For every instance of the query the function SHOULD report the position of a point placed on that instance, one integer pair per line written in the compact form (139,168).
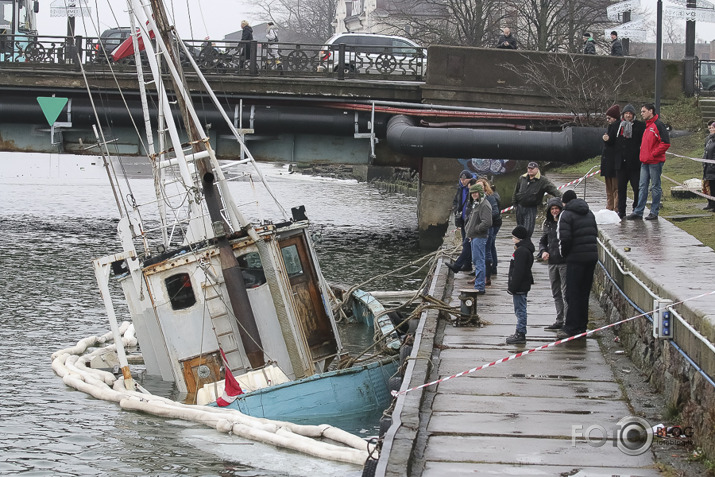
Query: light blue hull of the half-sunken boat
(355,391)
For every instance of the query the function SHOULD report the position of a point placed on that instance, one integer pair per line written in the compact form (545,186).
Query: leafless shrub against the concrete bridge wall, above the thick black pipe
(574,83)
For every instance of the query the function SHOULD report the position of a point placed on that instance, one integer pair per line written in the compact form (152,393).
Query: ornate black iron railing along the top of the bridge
(231,57)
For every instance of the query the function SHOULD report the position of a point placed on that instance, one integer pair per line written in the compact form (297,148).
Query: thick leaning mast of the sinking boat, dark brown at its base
(231,271)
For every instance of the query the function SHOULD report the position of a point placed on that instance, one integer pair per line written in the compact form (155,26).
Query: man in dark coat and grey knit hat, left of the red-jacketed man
(628,163)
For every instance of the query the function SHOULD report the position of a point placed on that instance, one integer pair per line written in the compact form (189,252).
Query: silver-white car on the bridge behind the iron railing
(374,54)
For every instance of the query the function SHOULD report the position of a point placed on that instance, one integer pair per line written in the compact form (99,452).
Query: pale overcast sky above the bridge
(216,18)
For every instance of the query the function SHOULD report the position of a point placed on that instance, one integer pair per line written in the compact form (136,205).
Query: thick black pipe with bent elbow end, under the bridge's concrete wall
(568,146)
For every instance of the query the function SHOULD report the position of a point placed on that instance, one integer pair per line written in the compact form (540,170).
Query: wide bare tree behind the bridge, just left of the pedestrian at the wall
(446,22)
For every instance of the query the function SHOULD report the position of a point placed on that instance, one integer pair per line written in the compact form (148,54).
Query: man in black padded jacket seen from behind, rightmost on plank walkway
(578,238)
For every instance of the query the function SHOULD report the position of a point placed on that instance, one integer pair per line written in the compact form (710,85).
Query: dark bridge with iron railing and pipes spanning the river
(298,104)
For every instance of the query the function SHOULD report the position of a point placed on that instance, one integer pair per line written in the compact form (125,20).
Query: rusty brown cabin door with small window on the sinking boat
(306,293)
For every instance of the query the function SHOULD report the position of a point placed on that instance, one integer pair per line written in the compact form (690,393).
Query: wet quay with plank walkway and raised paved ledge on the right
(529,416)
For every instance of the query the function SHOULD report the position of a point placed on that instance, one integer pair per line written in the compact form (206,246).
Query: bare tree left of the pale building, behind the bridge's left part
(303,21)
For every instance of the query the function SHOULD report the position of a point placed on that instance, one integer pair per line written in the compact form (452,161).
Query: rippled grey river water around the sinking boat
(50,231)
